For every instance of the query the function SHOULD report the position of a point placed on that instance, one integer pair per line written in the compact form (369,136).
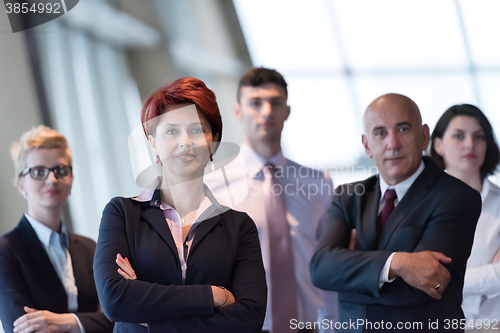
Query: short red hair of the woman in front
(185,90)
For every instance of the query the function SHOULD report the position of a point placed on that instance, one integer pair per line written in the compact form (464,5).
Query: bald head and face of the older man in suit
(394,137)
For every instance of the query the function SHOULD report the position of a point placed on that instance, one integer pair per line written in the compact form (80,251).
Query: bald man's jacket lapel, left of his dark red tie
(368,239)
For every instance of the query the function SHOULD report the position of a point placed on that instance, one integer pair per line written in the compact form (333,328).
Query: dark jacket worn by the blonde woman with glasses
(27,278)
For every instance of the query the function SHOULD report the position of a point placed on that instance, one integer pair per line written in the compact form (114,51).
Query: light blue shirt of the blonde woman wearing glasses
(57,245)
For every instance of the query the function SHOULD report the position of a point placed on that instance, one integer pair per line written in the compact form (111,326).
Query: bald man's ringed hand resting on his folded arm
(422,270)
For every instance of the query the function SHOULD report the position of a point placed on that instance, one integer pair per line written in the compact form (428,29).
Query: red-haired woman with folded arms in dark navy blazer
(197,265)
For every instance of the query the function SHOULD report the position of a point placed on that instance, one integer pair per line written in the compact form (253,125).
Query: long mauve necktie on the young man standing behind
(283,289)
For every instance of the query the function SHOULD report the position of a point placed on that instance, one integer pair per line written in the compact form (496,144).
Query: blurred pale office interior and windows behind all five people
(87,73)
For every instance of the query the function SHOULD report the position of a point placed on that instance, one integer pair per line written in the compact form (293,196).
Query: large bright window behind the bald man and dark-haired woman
(339,55)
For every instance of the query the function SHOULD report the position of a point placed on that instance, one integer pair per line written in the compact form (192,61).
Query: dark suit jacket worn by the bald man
(438,213)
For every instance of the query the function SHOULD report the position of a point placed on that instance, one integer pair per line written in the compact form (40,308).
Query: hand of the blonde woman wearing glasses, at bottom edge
(45,322)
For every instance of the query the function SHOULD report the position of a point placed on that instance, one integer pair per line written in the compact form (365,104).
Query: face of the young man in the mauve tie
(263,111)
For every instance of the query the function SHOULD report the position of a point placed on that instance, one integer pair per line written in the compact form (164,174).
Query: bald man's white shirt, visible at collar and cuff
(401,189)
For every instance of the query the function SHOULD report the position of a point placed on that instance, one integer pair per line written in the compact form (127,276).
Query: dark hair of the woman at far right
(492,156)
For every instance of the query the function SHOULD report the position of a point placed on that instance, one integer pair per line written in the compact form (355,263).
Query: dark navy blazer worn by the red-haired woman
(225,252)
